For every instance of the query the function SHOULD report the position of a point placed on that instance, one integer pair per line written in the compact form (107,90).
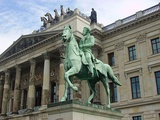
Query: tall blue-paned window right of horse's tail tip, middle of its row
(135,87)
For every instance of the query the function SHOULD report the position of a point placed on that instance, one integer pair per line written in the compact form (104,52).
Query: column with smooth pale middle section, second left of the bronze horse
(46,80)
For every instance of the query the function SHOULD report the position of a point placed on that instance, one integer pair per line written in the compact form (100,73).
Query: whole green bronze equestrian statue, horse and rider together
(81,63)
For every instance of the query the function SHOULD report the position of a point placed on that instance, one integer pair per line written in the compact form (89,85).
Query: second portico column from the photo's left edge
(5,92)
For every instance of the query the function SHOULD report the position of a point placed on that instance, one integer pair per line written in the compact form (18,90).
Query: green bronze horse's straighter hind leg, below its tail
(106,86)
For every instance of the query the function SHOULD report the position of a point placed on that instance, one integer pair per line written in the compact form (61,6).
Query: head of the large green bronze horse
(67,33)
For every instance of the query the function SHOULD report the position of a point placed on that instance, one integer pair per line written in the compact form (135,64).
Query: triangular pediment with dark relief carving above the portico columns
(26,41)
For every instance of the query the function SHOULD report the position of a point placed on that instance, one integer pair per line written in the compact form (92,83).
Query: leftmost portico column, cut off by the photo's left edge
(1,90)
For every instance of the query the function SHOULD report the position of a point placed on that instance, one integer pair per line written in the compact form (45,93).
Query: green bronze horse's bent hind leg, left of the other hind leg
(92,88)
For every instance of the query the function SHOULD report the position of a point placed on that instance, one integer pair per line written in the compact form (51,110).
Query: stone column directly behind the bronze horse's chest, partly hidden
(61,74)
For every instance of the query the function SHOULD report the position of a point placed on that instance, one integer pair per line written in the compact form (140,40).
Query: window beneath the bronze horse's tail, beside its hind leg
(113,92)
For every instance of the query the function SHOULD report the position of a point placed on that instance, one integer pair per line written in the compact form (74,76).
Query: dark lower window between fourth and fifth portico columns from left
(38,96)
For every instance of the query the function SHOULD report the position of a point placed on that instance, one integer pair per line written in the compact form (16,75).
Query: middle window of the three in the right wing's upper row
(132,53)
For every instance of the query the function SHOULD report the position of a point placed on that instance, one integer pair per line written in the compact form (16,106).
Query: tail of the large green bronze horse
(111,75)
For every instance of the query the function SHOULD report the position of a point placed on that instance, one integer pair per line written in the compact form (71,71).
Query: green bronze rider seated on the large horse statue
(85,45)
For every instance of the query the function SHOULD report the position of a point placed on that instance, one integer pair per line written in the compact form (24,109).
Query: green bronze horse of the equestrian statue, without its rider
(74,66)
